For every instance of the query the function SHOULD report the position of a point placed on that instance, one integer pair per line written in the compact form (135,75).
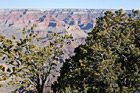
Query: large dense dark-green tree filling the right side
(109,61)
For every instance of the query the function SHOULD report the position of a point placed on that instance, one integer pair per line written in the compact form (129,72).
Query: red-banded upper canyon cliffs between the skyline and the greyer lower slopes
(84,18)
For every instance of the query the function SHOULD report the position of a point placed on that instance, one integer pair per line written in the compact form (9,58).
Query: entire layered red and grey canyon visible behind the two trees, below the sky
(77,22)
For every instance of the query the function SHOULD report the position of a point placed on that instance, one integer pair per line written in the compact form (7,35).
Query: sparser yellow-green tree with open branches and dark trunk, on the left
(30,64)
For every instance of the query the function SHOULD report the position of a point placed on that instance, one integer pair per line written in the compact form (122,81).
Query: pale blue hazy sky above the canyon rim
(88,4)
